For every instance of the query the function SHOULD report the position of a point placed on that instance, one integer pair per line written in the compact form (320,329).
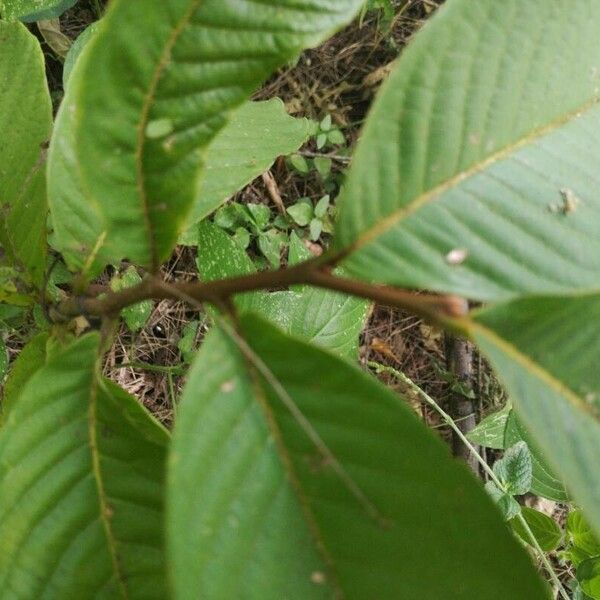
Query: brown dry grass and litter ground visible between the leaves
(339,78)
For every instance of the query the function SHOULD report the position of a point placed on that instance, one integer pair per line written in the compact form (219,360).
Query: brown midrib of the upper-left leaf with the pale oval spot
(144,119)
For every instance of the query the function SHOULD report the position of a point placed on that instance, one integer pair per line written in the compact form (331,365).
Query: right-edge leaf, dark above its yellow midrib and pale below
(546,351)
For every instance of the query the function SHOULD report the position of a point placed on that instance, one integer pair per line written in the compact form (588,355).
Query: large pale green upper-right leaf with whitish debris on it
(485,139)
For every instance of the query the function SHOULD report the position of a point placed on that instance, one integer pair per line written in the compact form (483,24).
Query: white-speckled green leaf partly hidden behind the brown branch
(326,318)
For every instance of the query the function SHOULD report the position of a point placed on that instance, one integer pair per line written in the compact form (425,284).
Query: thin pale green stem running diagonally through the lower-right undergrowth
(450,422)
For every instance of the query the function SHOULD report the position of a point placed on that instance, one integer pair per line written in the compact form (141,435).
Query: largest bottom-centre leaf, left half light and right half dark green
(256,508)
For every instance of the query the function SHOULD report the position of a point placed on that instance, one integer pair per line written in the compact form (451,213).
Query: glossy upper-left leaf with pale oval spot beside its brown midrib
(191,68)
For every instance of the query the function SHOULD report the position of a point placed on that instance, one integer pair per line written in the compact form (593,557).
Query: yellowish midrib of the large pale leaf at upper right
(388,222)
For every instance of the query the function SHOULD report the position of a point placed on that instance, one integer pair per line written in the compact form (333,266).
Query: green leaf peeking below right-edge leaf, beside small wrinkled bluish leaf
(544,483)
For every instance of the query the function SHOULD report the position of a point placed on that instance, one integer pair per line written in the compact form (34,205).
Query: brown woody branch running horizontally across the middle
(316,272)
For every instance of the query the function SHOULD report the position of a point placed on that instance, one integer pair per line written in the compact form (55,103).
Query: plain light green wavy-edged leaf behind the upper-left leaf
(247,146)
